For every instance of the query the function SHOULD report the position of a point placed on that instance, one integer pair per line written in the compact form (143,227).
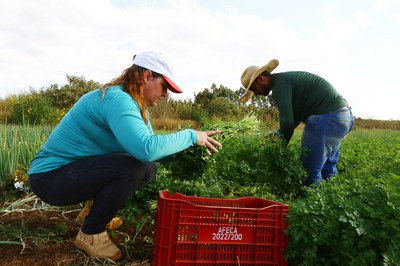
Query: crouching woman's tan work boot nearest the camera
(98,245)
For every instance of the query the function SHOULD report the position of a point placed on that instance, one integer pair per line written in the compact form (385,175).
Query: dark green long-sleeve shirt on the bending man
(300,94)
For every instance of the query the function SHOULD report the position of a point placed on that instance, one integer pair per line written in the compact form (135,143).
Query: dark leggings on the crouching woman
(107,179)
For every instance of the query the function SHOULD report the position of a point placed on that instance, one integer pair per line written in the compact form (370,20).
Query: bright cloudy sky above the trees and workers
(352,43)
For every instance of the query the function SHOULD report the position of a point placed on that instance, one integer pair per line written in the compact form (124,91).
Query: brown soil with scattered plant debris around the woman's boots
(49,240)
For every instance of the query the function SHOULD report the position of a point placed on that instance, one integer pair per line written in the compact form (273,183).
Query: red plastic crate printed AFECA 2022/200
(212,231)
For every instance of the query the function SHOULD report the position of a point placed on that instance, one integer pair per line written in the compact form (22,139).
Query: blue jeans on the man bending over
(320,143)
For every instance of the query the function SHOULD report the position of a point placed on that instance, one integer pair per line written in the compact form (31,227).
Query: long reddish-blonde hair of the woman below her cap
(131,81)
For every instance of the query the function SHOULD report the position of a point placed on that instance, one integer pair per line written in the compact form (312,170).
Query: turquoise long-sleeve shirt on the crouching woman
(113,124)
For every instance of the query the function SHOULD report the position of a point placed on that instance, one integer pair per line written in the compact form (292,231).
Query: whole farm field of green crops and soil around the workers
(359,210)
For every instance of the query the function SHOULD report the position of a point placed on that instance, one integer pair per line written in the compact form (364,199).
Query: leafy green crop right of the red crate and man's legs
(352,219)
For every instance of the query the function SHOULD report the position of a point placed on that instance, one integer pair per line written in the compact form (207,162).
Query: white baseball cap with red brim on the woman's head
(156,62)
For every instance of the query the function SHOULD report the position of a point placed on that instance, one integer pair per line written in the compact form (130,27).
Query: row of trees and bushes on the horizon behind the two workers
(49,104)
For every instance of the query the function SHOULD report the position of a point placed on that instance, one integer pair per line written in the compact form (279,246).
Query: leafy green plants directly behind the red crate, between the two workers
(241,168)
